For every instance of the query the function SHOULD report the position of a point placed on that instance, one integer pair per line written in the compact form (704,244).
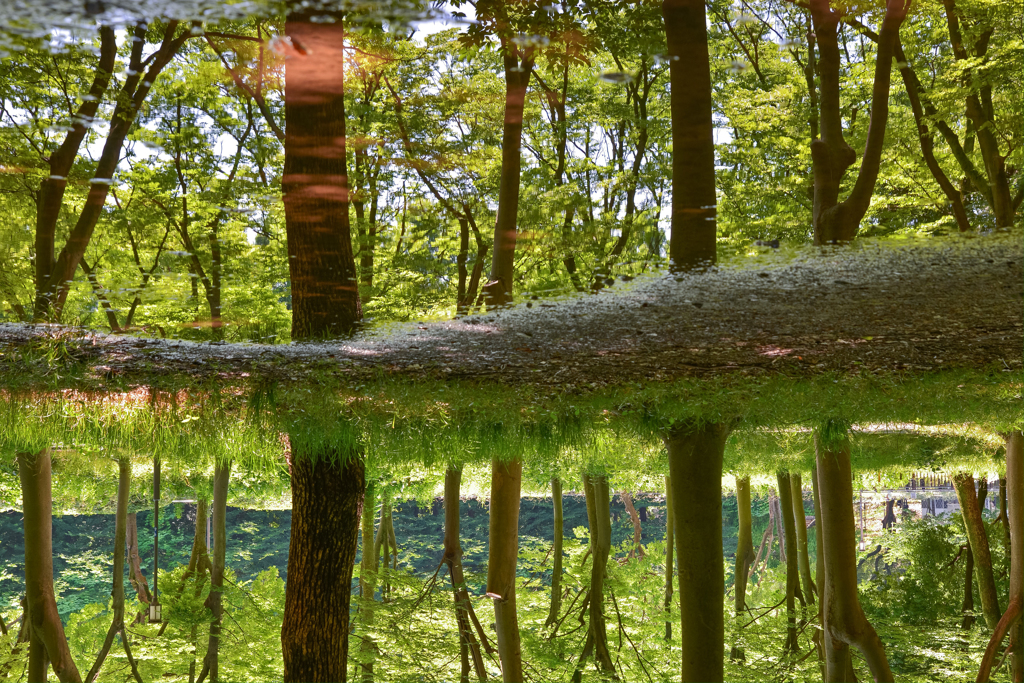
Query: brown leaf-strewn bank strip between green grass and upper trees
(916,307)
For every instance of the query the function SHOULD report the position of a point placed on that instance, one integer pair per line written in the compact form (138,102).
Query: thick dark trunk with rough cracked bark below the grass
(328,488)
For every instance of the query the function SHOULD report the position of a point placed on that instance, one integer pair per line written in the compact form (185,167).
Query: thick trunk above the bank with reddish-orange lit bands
(315,185)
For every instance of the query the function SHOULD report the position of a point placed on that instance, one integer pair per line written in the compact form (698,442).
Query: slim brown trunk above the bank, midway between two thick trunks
(518,73)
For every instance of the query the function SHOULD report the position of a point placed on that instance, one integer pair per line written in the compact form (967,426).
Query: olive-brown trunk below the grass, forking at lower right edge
(845,624)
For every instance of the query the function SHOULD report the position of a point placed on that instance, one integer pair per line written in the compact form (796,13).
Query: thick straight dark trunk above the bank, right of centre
(694,202)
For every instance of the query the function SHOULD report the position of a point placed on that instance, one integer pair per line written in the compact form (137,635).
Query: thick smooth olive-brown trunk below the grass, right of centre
(696,453)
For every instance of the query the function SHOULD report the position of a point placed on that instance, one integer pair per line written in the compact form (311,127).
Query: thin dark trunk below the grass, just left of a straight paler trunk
(468,646)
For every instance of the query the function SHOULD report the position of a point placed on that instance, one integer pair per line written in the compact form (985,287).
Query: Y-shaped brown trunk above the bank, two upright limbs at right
(836,222)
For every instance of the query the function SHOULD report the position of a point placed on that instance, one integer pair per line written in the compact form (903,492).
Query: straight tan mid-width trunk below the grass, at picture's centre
(503,542)
